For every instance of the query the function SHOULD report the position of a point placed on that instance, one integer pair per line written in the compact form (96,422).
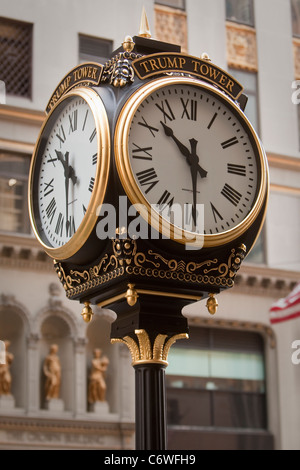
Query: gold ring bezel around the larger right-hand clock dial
(138,198)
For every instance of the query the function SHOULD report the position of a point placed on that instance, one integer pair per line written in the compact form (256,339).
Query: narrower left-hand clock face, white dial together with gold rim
(70,159)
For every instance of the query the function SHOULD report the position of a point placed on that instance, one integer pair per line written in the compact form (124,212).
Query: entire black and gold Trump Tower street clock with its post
(153,188)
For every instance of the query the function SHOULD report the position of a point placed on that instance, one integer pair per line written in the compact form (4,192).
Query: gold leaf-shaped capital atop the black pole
(142,351)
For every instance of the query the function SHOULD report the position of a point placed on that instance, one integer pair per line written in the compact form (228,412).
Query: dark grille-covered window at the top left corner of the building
(16,57)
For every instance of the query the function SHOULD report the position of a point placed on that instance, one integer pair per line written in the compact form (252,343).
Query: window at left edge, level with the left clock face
(14,169)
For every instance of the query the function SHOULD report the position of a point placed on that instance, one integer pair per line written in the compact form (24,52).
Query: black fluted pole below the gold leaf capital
(150,407)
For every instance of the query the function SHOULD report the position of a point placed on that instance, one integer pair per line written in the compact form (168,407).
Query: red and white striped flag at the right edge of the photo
(286,308)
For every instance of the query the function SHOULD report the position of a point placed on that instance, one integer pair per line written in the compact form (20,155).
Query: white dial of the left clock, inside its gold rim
(67,172)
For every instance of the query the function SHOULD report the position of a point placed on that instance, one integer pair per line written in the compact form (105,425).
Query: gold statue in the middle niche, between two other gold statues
(52,371)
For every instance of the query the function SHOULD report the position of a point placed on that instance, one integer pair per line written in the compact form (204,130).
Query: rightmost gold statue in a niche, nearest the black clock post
(97,385)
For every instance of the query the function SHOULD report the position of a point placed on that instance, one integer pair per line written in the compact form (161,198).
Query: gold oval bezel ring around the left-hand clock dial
(86,226)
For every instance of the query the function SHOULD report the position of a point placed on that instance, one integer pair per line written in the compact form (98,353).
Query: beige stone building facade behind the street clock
(233,384)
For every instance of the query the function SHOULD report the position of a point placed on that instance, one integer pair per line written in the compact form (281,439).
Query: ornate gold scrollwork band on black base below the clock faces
(127,259)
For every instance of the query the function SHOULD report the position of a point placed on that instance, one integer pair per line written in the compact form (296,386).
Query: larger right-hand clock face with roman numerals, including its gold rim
(192,156)
